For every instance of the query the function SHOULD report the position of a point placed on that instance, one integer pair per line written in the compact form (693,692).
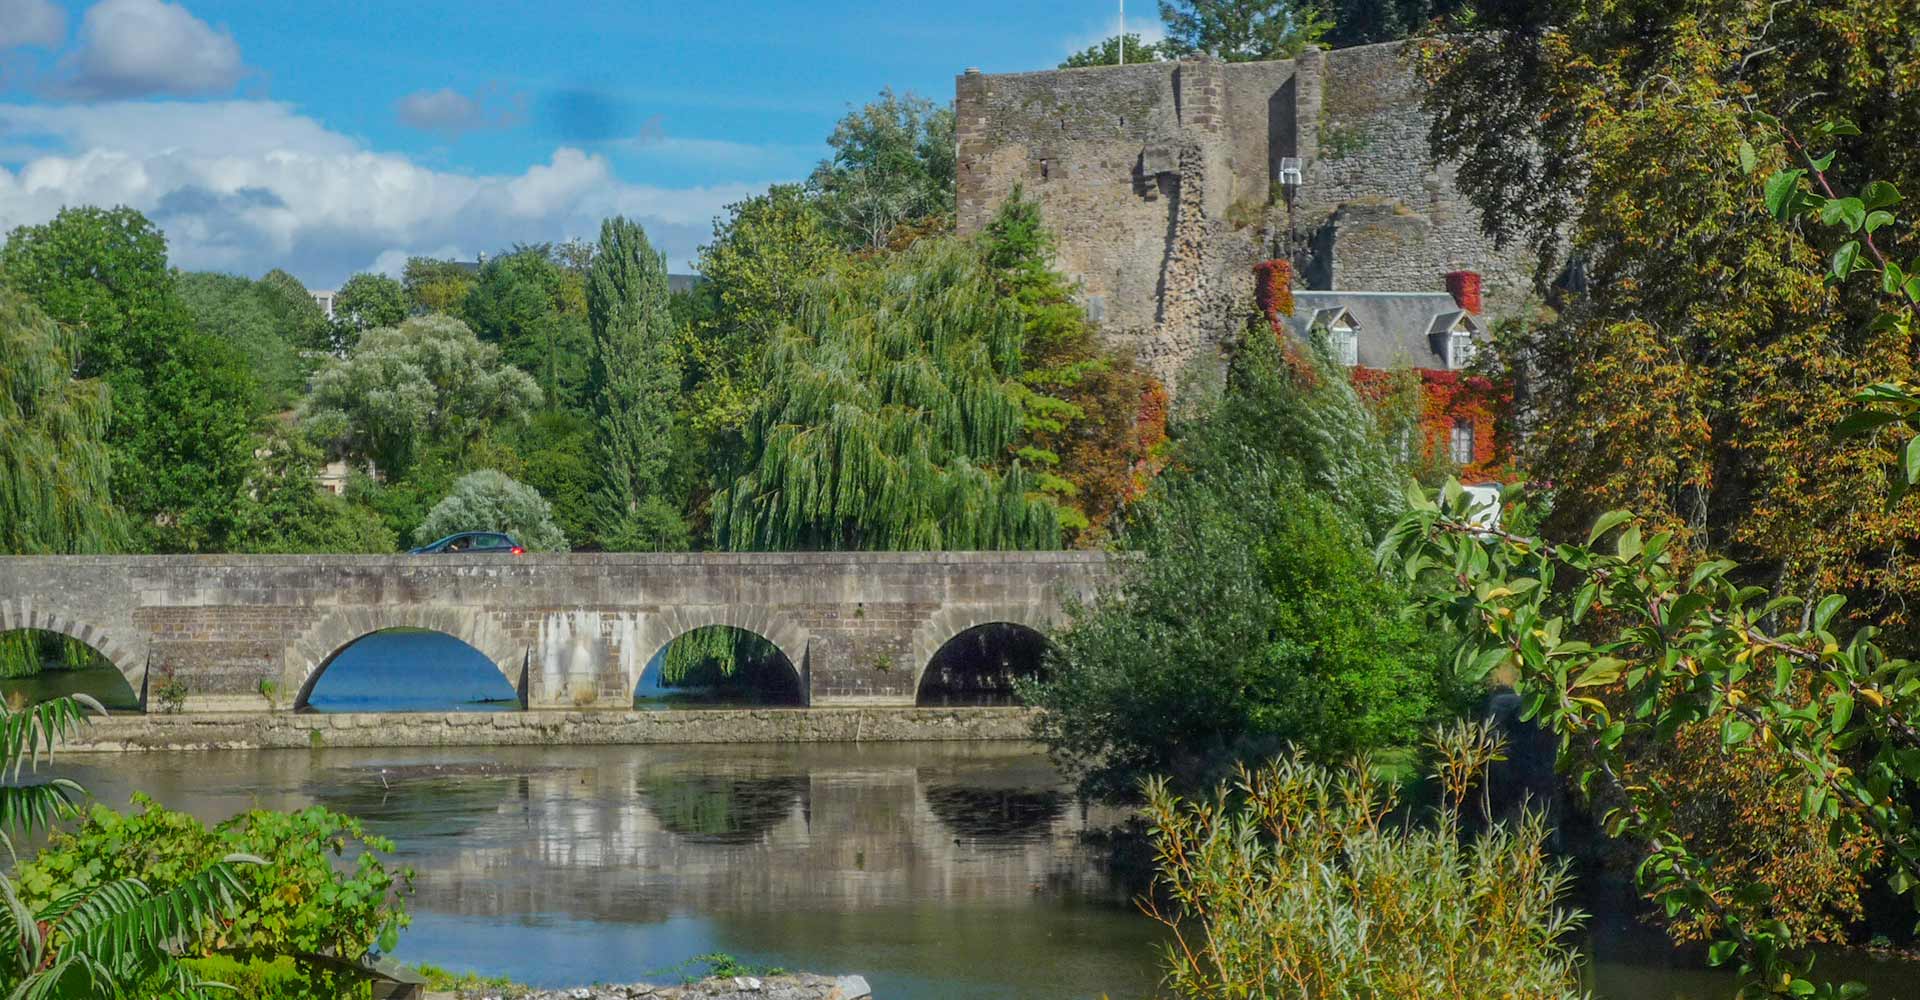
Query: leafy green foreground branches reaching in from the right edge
(1621,646)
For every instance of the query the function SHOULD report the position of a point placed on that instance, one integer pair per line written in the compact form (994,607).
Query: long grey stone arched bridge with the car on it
(565,631)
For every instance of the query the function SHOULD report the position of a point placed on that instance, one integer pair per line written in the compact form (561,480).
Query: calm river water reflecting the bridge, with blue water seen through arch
(942,872)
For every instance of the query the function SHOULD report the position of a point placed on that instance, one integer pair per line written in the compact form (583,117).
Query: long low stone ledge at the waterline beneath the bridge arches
(546,728)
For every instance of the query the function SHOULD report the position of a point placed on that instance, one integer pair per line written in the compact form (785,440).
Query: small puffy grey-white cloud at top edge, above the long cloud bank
(149,47)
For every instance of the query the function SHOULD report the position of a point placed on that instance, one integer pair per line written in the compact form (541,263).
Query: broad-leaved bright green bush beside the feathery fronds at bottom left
(324,890)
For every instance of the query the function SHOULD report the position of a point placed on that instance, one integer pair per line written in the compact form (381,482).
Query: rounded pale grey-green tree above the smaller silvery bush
(414,387)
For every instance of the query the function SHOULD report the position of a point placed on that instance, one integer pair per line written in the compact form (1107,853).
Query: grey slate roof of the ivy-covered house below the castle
(1395,329)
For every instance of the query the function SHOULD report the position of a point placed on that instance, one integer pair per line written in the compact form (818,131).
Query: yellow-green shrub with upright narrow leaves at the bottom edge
(1303,880)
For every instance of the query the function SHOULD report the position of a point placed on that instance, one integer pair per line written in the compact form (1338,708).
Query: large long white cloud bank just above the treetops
(254,185)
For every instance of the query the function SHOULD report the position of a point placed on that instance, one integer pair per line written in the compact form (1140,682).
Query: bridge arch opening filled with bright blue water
(408,671)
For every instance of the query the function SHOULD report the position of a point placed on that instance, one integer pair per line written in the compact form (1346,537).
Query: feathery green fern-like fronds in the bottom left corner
(124,930)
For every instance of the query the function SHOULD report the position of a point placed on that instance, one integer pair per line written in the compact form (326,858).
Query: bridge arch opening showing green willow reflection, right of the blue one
(719,665)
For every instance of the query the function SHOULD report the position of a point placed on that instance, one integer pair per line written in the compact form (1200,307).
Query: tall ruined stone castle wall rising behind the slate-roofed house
(1164,183)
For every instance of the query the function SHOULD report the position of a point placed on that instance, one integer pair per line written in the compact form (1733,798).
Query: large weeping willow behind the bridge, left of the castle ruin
(890,416)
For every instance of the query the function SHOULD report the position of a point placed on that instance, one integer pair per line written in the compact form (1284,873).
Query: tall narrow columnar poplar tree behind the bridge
(635,387)
